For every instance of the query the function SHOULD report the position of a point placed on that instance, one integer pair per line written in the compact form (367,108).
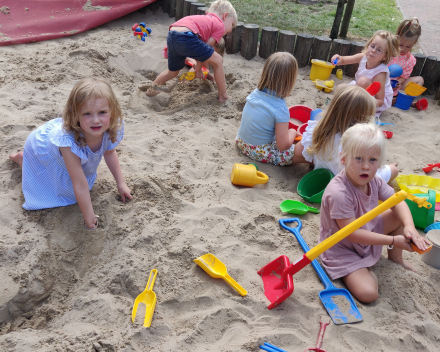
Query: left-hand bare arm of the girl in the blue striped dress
(80,186)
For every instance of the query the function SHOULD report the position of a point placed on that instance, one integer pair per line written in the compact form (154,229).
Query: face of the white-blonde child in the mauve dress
(360,170)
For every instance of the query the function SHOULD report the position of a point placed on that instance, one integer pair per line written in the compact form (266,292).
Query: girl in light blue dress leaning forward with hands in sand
(61,157)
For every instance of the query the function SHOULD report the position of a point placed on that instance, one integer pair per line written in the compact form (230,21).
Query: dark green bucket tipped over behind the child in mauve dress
(312,186)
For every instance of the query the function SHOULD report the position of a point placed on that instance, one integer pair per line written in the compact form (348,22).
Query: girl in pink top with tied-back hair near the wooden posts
(408,32)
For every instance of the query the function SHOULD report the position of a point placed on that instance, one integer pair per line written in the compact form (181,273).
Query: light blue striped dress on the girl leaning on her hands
(46,182)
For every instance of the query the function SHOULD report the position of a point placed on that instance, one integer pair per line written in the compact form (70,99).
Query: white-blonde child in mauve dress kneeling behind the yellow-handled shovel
(352,193)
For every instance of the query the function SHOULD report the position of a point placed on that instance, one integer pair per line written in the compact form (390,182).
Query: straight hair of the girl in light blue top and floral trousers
(279,74)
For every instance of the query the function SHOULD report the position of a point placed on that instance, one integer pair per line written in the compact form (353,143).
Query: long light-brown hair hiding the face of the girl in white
(350,105)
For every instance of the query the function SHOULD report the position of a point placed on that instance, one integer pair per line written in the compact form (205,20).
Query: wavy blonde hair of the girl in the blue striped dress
(85,89)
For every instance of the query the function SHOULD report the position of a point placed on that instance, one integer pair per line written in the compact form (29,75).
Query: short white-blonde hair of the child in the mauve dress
(358,139)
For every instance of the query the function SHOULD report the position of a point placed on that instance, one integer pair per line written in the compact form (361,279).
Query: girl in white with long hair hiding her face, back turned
(320,144)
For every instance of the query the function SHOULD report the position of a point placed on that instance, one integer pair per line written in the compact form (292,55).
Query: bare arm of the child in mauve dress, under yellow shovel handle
(362,236)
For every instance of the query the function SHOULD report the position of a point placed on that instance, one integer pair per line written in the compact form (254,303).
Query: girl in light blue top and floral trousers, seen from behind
(264,133)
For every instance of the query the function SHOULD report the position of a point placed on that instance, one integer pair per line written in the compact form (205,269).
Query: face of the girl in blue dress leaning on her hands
(95,117)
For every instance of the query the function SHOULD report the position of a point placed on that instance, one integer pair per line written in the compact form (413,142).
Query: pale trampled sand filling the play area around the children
(65,289)
